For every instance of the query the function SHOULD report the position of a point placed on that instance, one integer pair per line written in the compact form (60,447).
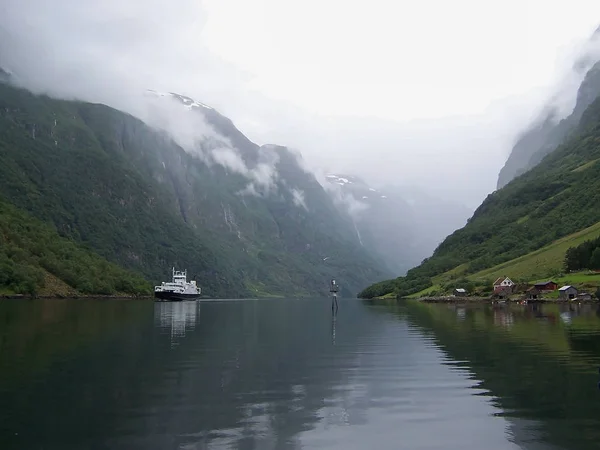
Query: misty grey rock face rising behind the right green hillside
(548,132)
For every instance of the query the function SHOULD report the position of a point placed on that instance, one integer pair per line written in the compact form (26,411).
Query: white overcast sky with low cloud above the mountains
(428,92)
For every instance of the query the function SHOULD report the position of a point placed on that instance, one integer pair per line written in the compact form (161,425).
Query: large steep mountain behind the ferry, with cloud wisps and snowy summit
(244,220)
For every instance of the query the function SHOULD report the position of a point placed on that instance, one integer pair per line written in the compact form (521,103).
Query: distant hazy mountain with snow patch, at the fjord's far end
(401,225)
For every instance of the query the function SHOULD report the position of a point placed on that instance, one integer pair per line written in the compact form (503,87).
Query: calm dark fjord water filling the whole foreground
(287,374)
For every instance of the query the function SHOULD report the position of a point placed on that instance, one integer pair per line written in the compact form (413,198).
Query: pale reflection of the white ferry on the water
(176,317)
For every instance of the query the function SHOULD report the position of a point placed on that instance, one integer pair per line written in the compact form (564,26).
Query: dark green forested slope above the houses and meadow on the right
(554,199)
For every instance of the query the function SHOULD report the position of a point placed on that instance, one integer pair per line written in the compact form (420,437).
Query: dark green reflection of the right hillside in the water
(534,367)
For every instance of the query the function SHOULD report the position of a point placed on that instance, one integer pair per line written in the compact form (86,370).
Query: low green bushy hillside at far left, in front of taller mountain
(31,253)
